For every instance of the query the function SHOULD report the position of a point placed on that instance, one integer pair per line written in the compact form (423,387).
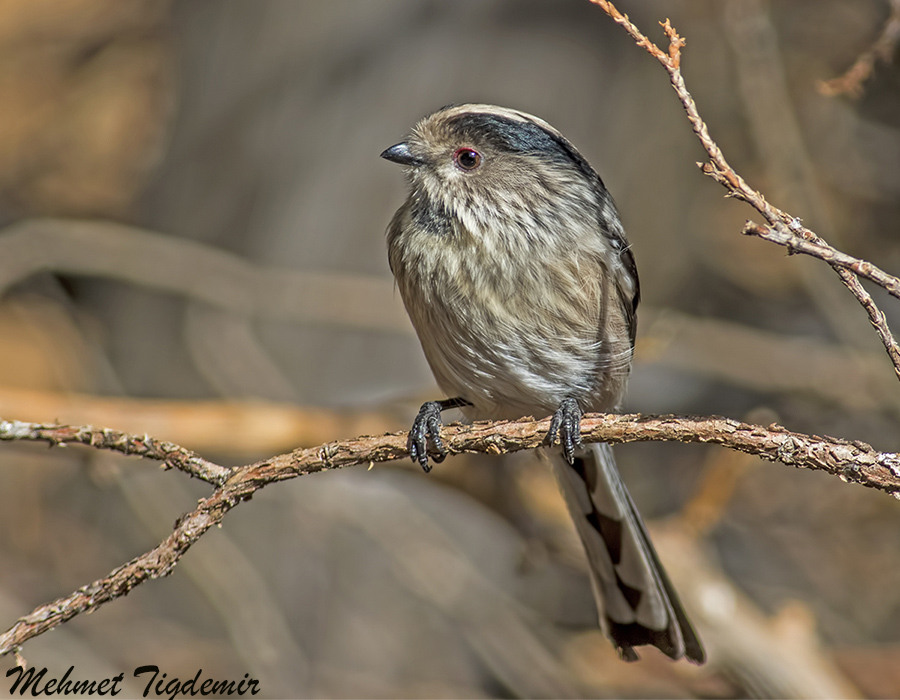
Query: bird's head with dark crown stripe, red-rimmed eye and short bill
(478,162)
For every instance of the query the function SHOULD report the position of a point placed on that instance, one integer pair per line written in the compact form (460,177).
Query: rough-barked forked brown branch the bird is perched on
(851,461)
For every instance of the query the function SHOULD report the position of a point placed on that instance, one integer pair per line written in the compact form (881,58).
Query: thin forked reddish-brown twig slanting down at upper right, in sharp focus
(783,229)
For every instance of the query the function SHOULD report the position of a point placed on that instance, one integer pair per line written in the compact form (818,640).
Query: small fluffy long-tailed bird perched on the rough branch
(513,265)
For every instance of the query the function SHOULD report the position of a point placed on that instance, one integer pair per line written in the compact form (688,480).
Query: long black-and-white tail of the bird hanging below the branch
(635,599)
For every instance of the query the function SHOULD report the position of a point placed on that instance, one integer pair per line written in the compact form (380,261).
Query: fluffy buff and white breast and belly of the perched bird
(511,334)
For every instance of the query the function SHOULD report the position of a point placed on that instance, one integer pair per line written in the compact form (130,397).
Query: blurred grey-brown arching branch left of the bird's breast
(197,271)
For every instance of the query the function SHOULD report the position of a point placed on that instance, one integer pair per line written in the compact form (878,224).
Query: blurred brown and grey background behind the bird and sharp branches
(193,211)
